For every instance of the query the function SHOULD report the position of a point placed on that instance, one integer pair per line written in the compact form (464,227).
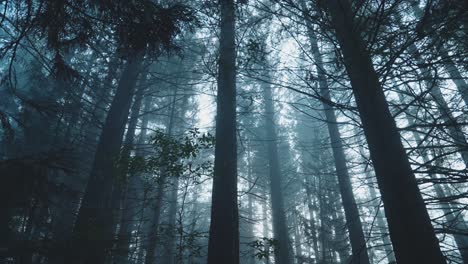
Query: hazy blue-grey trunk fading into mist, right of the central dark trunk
(280,229)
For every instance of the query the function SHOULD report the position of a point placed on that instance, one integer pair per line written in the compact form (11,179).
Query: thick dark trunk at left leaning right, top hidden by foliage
(93,229)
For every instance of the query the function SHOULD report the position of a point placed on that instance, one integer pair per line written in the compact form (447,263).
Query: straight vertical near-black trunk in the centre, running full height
(223,245)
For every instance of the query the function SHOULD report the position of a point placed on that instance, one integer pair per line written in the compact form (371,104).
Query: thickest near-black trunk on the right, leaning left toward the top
(410,227)
